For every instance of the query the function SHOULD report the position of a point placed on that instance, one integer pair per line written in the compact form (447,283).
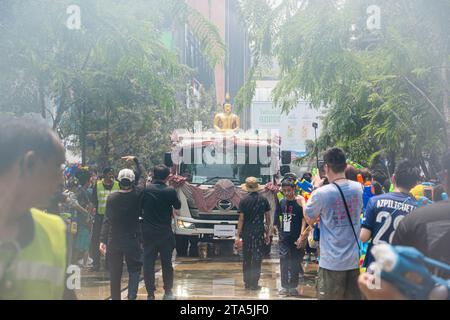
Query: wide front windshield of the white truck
(209,174)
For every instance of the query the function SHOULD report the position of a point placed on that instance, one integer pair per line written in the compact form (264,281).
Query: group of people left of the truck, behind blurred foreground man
(130,219)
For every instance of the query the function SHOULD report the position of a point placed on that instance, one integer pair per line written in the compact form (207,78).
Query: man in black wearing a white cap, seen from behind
(121,230)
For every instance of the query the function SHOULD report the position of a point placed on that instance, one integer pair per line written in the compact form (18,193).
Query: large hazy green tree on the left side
(108,86)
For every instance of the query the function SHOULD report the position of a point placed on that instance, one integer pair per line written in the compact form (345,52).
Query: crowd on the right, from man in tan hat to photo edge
(347,213)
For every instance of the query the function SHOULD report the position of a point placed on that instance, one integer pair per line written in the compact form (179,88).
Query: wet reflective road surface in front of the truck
(208,279)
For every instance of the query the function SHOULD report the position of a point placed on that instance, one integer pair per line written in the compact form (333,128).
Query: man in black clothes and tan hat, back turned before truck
(252,232)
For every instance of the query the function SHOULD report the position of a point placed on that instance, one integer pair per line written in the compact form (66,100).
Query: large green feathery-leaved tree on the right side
(385,91)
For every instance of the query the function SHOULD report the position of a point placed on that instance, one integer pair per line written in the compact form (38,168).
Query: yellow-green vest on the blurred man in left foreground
(38,272)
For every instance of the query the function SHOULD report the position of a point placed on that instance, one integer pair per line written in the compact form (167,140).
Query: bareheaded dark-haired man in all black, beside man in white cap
(159,202)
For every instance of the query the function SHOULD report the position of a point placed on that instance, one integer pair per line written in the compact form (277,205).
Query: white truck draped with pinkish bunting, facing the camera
(208,170)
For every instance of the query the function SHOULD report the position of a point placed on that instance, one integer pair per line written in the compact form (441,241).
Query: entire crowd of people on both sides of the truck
(339,213)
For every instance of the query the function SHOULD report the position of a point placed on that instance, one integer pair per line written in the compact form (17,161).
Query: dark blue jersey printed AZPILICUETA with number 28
(382,216)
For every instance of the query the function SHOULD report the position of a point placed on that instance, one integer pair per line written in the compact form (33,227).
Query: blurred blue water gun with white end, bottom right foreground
(408,270)
